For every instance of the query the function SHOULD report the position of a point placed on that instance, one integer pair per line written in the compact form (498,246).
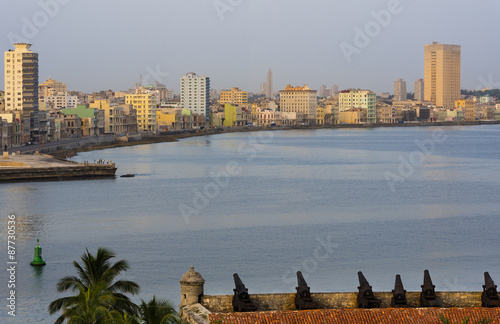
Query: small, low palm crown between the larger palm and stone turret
(158,311)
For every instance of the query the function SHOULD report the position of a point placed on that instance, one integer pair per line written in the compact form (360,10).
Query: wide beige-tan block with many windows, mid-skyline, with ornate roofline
(300,100)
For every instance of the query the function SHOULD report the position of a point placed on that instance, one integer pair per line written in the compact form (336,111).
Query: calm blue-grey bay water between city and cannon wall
(326,202)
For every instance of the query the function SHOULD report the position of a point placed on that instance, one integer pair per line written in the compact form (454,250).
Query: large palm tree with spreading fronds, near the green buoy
(96,272)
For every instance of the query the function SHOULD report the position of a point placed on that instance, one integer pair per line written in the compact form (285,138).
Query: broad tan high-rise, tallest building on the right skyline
(442,74)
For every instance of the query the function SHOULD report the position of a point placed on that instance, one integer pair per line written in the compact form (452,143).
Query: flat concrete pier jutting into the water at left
(45,167)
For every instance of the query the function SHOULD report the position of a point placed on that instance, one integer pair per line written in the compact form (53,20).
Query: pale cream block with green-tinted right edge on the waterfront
(364,99)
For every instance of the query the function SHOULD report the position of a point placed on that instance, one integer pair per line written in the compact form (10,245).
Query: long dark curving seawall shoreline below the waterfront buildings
(174,136)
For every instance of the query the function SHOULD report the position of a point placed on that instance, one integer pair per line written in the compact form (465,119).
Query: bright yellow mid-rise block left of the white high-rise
(145,105)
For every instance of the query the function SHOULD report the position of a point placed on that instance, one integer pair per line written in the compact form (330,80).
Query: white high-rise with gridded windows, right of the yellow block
(195,94)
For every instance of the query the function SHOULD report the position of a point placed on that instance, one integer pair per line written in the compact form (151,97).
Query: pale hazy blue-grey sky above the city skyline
(97,45)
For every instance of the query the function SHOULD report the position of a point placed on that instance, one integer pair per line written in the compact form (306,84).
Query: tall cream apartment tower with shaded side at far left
(21,83)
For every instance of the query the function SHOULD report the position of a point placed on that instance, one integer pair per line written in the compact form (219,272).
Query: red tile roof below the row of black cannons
(360,316)
